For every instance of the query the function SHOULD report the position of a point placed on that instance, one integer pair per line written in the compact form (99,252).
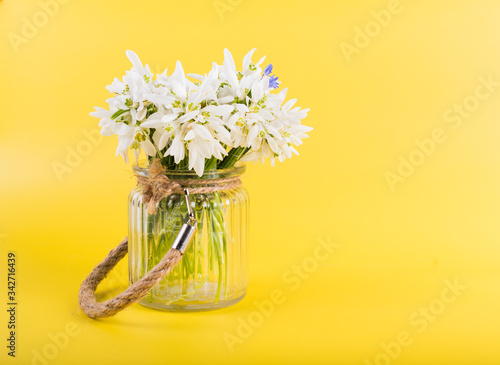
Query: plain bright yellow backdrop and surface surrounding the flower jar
(398,239)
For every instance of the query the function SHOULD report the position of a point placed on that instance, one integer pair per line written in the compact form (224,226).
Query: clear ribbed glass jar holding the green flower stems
(213,272)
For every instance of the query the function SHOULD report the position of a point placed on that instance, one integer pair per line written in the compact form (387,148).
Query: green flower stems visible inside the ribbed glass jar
(162,229)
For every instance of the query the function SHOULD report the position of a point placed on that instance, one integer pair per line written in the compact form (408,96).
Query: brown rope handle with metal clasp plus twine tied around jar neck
(155,187)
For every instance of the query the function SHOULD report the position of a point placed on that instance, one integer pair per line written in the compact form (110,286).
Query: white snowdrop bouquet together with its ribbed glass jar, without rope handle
(205,125)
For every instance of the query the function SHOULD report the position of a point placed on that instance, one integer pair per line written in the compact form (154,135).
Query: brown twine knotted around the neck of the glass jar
(156,185)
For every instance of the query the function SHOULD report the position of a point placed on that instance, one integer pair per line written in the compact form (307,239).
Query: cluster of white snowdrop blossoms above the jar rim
(212,122)
